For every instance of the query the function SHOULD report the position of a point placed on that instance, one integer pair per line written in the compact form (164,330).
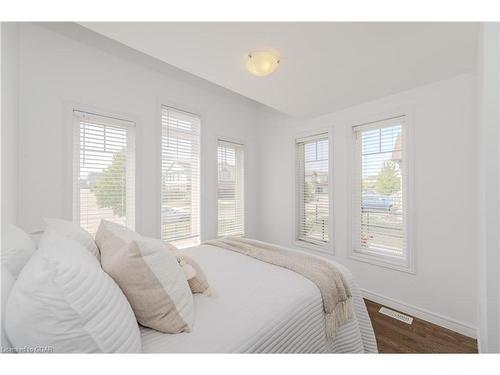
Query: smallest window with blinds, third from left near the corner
(230,187)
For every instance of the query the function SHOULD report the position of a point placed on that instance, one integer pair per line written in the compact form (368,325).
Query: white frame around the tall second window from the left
(164,103)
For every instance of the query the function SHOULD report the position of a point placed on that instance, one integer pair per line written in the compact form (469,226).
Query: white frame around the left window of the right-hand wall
(328,248)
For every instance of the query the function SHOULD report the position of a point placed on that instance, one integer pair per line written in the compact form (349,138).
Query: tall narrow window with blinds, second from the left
(180,177)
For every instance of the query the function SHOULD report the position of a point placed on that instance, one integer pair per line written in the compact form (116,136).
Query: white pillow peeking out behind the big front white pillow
(56,228)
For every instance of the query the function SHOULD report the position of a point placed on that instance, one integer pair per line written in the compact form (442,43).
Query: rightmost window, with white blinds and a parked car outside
(380,192)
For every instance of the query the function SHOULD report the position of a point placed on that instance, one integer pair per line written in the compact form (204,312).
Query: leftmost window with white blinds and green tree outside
(104,171)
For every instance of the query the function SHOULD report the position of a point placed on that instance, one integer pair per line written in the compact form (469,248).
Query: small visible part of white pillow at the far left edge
(17,249)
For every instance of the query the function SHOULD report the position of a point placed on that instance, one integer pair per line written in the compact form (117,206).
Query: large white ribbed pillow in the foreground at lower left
(65,301)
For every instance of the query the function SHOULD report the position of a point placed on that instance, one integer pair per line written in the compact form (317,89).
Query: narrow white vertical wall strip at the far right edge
(489,187)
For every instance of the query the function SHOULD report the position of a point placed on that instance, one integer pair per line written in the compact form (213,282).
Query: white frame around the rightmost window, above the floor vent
(404,263)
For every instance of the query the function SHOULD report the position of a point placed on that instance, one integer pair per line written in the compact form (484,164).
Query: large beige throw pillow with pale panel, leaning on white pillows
(149,275)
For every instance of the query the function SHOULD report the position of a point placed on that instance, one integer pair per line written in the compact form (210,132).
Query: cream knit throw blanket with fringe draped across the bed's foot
(337,298)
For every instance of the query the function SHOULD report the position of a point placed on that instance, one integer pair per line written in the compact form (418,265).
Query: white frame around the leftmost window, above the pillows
(79,111)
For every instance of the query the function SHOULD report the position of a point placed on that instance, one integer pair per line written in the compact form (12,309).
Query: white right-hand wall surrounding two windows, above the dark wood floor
(444,287)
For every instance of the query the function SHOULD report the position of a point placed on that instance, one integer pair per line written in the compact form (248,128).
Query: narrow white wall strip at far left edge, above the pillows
(9,95)
